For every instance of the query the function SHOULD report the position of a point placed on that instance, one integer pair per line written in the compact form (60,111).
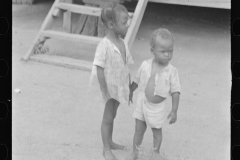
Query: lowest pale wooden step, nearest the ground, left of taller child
(62,61)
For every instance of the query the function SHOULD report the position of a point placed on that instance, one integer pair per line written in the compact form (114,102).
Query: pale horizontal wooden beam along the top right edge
(225,4)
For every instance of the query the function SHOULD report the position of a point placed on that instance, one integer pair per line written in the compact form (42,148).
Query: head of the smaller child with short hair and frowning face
(162,45)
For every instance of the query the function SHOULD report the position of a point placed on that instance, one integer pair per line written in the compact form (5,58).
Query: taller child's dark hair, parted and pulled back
(110,11)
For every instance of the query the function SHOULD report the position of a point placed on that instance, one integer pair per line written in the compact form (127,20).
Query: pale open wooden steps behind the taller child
(67,7)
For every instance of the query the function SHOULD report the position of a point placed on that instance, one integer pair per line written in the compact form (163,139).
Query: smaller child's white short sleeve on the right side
(174,81)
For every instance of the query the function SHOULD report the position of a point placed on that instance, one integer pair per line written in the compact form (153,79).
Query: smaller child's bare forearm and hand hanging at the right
(175,101)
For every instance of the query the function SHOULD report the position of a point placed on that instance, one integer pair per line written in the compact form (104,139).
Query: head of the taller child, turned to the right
(115,17)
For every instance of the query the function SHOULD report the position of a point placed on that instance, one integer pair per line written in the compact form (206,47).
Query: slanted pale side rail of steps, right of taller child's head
(135,22)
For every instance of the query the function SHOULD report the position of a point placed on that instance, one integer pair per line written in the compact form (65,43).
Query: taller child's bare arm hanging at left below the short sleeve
(102,80)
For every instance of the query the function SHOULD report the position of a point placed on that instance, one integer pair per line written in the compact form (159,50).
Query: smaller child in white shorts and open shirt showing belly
(156,79)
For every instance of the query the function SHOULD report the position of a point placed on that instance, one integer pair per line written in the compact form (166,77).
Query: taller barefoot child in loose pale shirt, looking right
(110,66)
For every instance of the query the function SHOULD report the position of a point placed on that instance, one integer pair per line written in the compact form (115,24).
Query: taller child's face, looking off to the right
(121,25)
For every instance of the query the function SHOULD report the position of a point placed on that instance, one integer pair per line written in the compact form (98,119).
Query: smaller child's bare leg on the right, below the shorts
(157,141)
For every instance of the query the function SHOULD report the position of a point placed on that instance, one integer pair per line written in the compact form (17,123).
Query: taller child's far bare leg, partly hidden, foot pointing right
(112,144)
